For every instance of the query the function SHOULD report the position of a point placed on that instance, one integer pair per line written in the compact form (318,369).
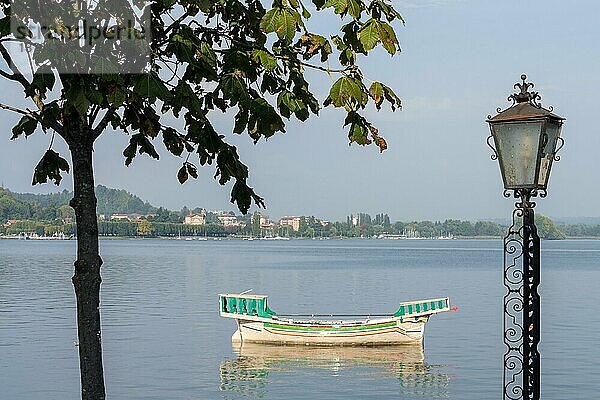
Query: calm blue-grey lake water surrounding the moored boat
(163,337)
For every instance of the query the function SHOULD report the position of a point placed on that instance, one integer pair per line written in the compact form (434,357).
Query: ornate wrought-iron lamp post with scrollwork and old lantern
(525,139)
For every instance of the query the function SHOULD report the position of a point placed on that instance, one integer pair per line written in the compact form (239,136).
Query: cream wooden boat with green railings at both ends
(259,324)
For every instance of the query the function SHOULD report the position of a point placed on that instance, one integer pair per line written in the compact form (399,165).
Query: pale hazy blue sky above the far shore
(459,61)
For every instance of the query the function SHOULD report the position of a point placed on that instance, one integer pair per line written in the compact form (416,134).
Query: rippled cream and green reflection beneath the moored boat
(258,366)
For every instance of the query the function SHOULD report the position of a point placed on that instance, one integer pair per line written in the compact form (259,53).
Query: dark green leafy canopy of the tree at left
(207,57)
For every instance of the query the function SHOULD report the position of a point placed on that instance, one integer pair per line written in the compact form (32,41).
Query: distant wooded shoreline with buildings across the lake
(48,215)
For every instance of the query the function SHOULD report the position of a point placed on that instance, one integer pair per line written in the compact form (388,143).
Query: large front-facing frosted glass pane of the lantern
(518,144)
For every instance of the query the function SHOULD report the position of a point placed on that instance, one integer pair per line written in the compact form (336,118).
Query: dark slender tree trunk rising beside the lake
(86,279)
